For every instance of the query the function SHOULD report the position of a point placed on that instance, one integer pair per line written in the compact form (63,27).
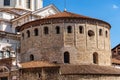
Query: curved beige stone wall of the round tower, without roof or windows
(51,47)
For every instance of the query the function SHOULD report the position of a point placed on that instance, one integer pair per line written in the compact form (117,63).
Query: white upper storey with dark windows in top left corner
(22,4)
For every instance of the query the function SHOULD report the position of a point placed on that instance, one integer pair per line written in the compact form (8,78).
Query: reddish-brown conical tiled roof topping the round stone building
(63,17)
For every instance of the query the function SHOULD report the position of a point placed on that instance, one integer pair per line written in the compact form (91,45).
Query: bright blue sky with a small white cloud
(107,10)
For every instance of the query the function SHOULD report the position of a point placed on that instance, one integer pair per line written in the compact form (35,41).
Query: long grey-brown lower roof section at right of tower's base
(88,69)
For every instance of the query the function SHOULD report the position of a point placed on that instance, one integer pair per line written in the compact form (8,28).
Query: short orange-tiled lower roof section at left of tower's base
(37,64)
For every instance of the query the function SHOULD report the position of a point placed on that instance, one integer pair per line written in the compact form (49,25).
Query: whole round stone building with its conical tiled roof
(66,38)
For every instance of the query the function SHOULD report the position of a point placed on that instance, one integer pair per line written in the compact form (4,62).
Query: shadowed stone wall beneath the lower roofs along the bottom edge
(54,74)
